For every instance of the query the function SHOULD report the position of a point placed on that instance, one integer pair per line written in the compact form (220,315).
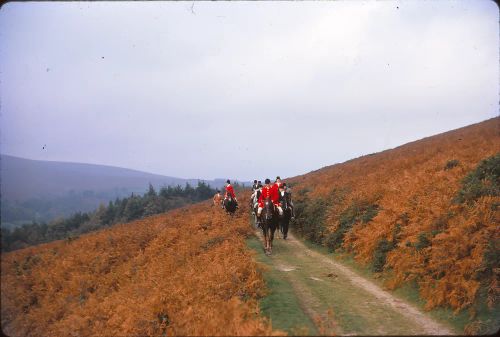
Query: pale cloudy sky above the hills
(246,90)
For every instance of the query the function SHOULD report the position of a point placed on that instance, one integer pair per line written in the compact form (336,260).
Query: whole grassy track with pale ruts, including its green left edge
(328,298)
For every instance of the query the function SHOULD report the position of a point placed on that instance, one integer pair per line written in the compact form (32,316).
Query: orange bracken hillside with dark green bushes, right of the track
(411,213)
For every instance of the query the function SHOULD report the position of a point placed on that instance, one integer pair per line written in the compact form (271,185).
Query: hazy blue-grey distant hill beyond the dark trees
(36,190)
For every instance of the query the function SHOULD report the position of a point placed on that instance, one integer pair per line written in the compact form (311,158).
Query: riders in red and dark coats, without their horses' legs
(278,192)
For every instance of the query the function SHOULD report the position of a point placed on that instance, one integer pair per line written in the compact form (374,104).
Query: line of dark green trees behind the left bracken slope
(119,211)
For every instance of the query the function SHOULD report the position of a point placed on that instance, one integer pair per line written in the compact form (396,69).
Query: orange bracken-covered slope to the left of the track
(186,272)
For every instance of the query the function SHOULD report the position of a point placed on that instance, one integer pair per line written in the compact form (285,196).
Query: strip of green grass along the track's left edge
(281,305)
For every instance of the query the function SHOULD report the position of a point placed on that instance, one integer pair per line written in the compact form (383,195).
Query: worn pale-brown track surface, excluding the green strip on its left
(359,306)
